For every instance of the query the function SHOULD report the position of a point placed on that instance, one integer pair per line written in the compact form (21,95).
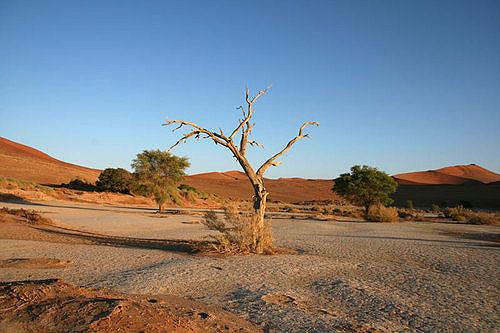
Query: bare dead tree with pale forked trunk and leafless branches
(256,177)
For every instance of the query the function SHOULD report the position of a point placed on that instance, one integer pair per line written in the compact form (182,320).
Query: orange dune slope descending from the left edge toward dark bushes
(23,162)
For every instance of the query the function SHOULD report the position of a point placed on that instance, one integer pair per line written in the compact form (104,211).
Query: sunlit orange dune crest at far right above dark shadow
(453,175)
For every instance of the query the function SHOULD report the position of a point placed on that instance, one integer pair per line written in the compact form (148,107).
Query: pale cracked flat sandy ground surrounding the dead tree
(346,276)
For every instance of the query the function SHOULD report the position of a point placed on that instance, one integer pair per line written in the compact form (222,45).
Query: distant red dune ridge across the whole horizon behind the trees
(451,185)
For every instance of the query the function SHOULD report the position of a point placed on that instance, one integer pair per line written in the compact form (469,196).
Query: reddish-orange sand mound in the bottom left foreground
(52,305)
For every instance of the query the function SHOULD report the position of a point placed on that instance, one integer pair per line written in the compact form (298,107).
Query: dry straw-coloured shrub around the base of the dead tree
(236,231)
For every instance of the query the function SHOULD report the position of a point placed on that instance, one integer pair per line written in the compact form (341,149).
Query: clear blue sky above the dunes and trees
(400,85)
